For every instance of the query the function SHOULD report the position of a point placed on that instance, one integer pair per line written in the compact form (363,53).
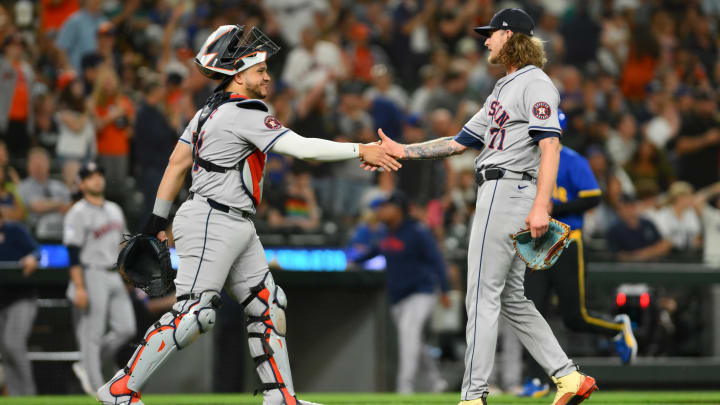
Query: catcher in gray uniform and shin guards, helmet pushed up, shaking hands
(225,145)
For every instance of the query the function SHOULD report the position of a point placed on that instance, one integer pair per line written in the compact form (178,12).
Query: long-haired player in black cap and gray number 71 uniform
(517,131)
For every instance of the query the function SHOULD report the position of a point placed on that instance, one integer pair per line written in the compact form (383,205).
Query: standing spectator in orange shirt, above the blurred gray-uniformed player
(114,115)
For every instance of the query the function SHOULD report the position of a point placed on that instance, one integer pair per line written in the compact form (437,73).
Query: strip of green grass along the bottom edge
(599,398)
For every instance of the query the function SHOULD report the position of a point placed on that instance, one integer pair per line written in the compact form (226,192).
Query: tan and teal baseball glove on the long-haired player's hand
(543,252)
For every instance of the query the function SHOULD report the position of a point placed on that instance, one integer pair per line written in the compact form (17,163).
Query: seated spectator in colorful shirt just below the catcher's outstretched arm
(297,208)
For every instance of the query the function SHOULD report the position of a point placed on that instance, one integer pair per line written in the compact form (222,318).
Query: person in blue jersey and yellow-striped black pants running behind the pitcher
(576,191)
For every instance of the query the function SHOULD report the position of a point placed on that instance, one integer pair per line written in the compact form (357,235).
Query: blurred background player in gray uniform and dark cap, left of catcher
(103,312)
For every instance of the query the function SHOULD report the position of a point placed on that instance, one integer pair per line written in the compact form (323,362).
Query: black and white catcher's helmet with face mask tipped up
(230,50)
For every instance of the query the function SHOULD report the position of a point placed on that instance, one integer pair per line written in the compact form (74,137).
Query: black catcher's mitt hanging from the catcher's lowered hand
(144,262)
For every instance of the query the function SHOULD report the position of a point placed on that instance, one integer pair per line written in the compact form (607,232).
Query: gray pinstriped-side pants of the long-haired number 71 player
(495,287)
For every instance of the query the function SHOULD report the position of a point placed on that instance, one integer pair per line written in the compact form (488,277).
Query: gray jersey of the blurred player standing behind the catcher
(97,230)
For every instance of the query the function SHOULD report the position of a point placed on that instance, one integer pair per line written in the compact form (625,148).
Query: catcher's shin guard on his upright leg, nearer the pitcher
(265,308)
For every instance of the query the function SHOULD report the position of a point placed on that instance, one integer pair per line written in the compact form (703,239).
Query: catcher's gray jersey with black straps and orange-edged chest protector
(236,133)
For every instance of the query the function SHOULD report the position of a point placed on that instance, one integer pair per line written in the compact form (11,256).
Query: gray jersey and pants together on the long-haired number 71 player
(522,109)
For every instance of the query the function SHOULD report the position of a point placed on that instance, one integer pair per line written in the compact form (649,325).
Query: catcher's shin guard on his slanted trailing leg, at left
(175,330)
